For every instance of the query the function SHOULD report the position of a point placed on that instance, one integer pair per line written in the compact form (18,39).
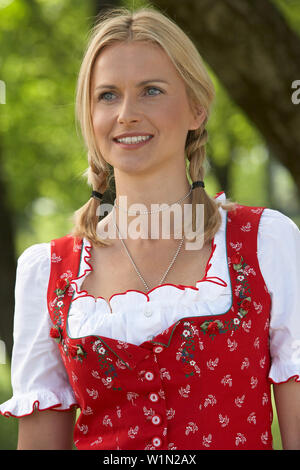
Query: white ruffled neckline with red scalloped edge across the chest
(163,305)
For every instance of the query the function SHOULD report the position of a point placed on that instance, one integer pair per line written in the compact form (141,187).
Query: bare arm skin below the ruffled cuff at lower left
(47,430)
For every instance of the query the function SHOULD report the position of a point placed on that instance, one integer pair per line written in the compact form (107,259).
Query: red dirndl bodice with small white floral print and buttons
(200,384)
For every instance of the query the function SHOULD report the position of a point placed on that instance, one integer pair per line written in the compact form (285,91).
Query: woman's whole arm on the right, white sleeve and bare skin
(279,235)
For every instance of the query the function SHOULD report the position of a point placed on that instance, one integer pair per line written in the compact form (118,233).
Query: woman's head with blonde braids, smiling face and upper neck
(137,80)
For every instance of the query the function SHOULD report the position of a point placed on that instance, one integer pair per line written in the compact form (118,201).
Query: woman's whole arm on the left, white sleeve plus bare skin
(38,373)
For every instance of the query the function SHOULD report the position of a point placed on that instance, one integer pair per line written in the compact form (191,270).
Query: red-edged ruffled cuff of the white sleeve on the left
(24,404)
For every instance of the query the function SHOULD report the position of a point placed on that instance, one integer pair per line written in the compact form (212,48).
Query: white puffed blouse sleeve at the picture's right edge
(279,259)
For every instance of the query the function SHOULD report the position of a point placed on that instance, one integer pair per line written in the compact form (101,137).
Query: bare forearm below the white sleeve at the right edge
(287,399)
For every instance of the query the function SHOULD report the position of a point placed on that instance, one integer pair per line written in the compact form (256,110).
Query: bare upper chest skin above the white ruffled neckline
(113,271)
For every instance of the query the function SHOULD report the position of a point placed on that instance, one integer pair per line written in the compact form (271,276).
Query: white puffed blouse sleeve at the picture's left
(38,376)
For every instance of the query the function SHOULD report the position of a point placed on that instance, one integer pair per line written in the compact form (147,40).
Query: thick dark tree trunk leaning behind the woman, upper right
(256,56)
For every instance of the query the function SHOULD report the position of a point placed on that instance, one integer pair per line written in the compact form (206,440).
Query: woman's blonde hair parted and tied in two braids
(145,24)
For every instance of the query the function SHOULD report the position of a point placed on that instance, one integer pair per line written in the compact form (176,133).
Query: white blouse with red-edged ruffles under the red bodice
(39,379)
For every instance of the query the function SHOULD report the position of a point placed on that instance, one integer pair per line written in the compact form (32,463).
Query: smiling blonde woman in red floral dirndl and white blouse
(182,361)
